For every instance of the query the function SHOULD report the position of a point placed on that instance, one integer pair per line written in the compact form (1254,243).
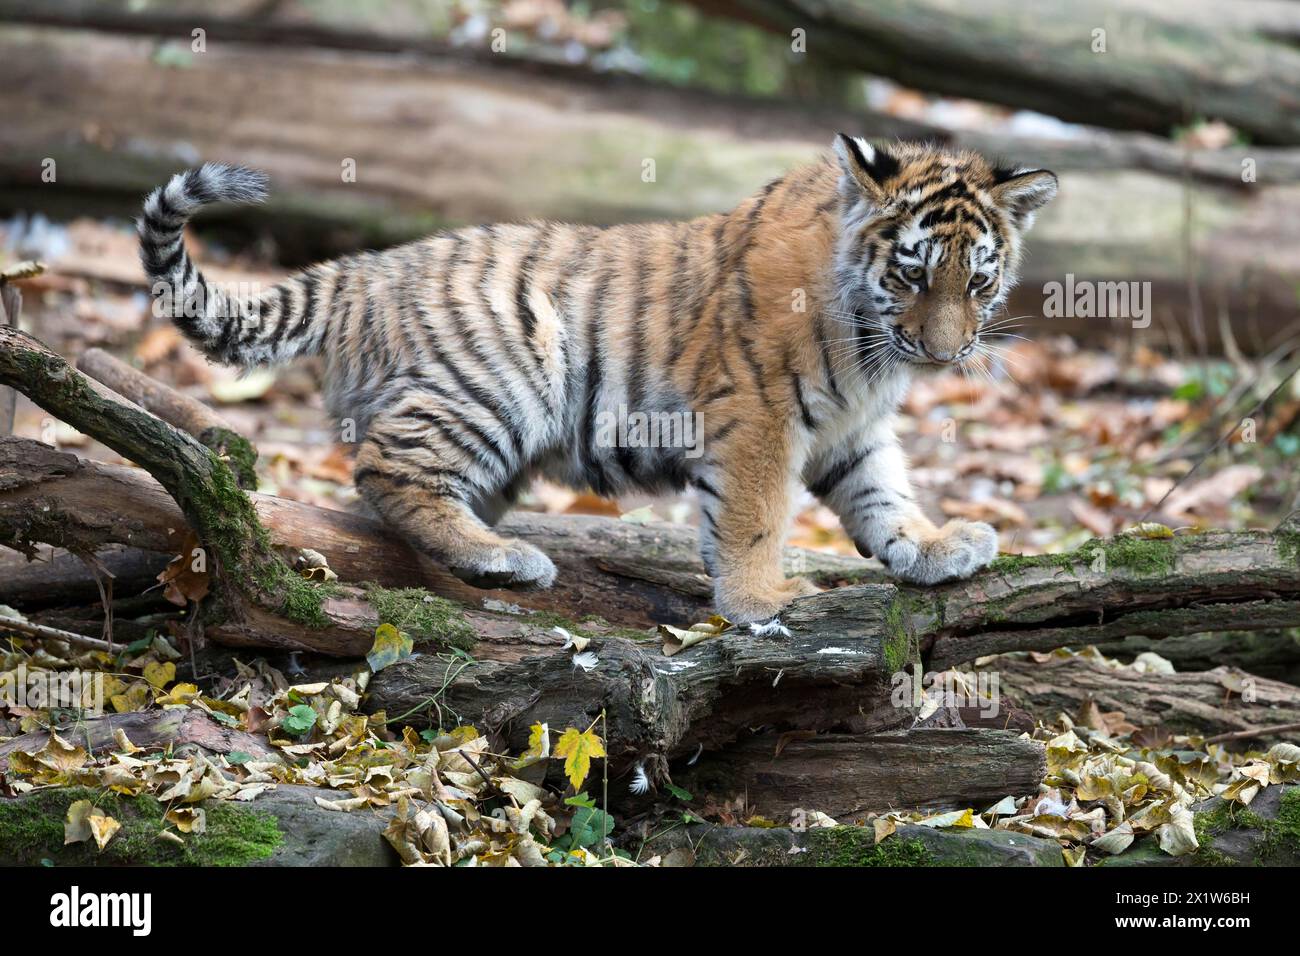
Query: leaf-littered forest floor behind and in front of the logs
(1055,445)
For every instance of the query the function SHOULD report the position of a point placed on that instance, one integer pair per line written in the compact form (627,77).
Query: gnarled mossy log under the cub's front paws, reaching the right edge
(847,644)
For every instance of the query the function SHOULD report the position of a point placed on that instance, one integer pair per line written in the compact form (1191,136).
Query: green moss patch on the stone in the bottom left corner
(32,832)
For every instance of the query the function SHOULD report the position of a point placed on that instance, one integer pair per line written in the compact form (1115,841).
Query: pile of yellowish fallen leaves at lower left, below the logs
(452,799)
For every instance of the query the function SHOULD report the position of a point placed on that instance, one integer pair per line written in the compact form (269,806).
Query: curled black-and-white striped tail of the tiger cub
(235,330)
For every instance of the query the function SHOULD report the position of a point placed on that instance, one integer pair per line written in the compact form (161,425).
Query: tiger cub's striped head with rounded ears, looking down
(929,246)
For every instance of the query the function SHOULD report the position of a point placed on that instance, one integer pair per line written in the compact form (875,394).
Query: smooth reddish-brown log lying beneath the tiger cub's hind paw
(629,574)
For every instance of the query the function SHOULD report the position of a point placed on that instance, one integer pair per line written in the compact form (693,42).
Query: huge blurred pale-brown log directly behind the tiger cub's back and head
(571,146)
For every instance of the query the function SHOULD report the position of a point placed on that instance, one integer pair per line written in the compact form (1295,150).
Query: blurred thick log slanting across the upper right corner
(1163,64)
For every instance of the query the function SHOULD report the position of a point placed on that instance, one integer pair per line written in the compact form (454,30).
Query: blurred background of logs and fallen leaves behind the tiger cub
(1175,128)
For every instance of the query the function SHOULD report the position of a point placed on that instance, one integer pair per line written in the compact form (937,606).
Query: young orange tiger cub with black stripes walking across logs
(788,330)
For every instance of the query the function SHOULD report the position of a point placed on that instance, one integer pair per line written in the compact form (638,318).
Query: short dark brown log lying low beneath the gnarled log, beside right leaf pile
(848,776)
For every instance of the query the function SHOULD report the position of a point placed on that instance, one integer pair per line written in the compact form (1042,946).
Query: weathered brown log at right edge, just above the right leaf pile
(1211,703)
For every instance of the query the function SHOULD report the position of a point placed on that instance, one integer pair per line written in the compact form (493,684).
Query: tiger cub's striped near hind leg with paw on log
(423,477)
